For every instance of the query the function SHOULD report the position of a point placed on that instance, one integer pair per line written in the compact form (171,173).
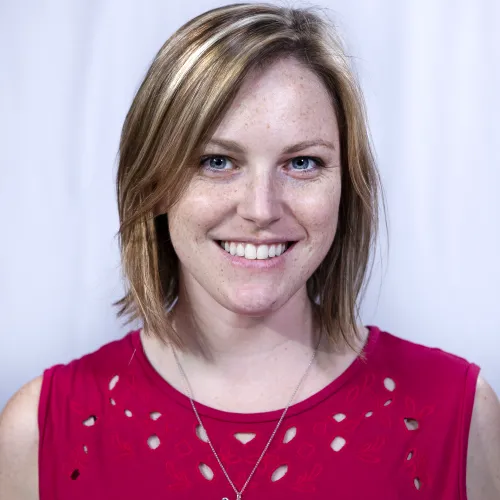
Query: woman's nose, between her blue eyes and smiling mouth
(261,201)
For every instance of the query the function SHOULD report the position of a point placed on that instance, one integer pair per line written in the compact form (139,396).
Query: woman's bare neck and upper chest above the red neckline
(230,359)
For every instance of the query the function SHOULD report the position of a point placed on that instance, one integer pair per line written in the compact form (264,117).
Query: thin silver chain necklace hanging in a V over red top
(239,493)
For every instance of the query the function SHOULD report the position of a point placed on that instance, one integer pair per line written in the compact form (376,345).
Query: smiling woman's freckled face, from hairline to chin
(269,177)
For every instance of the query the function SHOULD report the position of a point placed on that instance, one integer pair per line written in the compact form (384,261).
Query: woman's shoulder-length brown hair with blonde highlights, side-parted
(189,86)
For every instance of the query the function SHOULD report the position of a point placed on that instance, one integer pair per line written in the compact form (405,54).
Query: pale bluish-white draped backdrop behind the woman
(430,71)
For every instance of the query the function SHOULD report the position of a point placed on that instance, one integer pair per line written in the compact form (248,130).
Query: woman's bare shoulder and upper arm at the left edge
(19,444)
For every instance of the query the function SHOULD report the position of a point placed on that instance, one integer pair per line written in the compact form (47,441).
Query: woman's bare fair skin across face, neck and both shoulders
(253,325)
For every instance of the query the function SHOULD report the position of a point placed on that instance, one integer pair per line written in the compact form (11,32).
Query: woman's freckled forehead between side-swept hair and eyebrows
(285,101)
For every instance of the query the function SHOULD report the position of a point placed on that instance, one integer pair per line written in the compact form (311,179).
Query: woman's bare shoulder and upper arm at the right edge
(483,460)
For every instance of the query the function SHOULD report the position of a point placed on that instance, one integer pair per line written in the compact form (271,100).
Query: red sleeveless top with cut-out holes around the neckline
(392,427)
